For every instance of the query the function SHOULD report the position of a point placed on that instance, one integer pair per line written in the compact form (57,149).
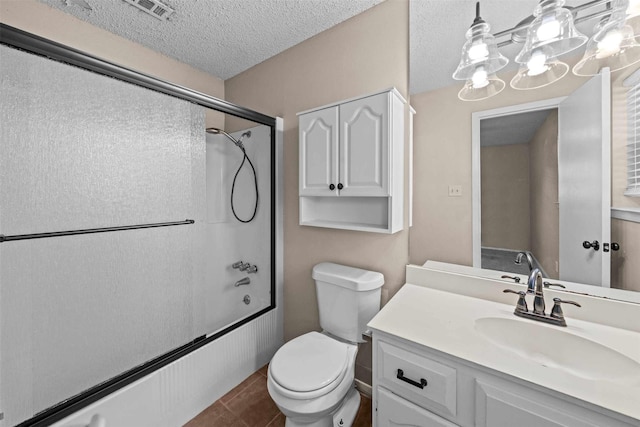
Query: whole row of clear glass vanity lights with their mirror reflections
(550,33)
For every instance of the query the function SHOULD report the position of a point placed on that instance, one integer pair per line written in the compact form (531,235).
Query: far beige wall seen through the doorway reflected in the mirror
(505,197)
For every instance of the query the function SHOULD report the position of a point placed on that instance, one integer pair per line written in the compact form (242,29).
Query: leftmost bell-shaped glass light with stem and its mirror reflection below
(479,62)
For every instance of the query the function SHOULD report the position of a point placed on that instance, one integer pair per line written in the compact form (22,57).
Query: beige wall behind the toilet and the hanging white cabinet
(364,54)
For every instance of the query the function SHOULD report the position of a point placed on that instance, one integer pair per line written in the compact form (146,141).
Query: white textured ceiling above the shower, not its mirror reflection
(220,37)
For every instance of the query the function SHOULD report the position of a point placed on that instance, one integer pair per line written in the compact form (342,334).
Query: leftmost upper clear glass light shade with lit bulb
(480,49)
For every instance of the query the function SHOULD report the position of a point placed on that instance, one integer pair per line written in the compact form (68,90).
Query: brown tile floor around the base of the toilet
(249,405)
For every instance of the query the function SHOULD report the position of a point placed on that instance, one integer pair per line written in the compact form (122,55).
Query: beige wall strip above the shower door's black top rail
(50,23)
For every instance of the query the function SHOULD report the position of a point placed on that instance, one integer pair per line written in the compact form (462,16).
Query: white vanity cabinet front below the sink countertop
(436,390)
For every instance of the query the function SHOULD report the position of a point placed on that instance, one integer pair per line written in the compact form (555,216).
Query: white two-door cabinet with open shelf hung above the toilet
(352,164)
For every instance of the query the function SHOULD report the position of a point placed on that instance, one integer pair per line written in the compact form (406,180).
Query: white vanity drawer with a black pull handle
(402,372)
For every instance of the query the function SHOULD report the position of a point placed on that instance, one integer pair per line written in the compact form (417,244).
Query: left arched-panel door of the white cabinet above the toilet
(319,152)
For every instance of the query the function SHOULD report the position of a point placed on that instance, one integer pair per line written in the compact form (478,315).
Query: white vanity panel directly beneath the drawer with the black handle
(394,411)
